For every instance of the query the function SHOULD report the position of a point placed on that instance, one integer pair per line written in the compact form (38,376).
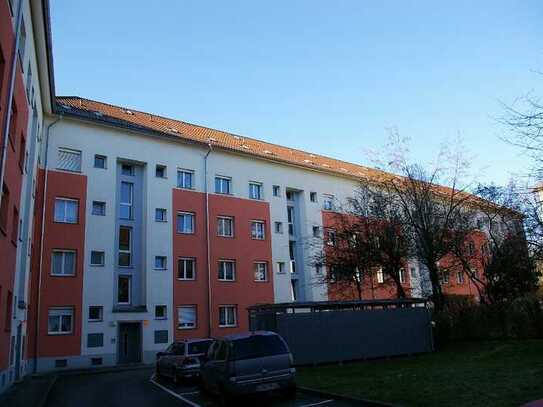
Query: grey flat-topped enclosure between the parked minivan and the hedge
(320,332)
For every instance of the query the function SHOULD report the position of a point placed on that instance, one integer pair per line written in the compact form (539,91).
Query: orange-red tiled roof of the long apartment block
(221,139)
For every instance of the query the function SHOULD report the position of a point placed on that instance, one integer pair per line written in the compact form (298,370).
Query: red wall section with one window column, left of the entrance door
(62,291)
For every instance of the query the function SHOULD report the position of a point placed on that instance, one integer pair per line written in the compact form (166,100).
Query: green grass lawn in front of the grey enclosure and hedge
(490,374)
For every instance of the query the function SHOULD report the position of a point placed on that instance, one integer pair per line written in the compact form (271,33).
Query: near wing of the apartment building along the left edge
(25,96)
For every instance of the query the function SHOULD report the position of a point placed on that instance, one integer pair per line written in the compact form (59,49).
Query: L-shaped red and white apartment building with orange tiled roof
(121,231)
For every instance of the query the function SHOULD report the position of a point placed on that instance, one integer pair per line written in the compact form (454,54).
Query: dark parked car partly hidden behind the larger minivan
(182,359)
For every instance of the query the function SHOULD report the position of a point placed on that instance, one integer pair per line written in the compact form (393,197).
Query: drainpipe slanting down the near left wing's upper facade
(11,89)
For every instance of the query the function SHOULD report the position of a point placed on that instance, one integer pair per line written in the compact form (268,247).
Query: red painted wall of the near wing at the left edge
(13,175)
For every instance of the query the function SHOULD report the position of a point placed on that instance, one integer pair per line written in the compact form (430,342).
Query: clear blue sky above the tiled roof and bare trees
(324,76)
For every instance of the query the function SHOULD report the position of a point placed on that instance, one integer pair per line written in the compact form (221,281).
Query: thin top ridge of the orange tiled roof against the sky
(309,154)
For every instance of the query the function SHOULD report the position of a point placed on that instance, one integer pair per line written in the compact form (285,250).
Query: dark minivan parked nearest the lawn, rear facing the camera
(248,363)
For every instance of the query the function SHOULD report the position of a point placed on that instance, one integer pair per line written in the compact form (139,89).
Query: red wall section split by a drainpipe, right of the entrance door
(242,292)
